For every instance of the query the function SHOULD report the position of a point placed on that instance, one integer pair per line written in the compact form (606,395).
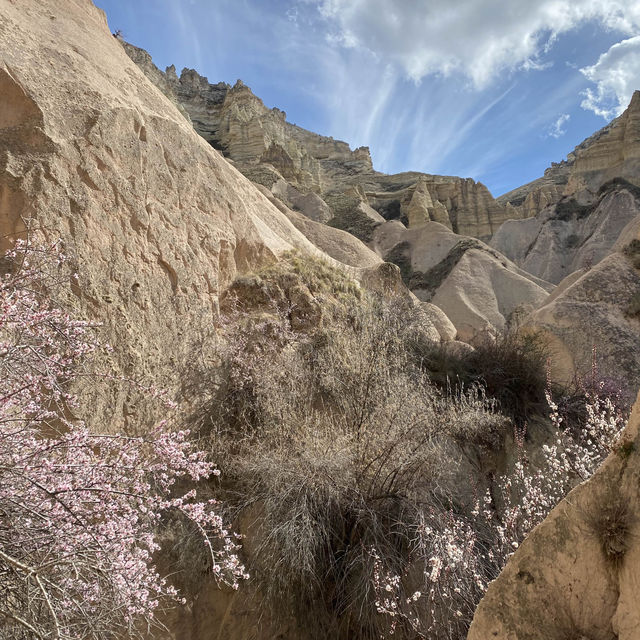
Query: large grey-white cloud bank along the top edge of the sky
(479,39)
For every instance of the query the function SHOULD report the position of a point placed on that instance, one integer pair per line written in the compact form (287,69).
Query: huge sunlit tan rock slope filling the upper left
(157,221)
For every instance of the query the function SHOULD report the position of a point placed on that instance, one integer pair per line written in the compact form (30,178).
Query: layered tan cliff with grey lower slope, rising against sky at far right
(571,216)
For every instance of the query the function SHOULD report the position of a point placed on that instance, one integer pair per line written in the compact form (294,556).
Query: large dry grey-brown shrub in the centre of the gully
(343,451)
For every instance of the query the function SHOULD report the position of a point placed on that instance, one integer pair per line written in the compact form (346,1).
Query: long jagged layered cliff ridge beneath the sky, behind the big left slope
(269,150)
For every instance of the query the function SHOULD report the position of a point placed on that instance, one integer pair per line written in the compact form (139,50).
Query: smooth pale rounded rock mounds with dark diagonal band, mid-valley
(477,288)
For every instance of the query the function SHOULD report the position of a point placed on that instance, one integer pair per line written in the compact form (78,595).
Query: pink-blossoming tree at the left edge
(80,511)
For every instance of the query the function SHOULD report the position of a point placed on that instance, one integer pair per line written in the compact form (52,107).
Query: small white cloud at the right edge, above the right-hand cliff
(617,76)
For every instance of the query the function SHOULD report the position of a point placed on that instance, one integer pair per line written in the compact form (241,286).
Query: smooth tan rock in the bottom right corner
(576,575)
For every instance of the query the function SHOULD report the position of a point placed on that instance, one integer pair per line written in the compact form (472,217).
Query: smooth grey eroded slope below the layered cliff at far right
(570,235)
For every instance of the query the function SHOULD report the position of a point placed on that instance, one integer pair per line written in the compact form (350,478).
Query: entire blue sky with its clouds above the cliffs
(490,89)
